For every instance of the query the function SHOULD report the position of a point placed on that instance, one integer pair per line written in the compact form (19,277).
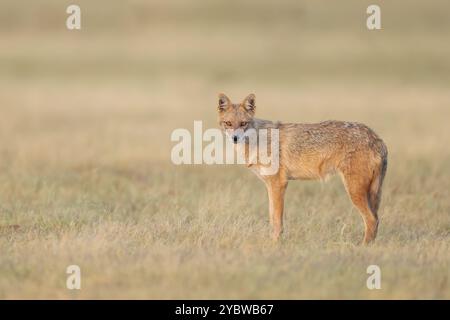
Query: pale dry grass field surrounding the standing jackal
(85,169)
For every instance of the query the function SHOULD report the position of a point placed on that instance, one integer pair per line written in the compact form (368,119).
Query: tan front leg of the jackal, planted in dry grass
(275,190)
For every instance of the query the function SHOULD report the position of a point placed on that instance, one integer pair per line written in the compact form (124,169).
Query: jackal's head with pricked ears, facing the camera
(236,118)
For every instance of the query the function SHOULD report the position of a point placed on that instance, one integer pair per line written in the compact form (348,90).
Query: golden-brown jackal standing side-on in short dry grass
(313,151)
